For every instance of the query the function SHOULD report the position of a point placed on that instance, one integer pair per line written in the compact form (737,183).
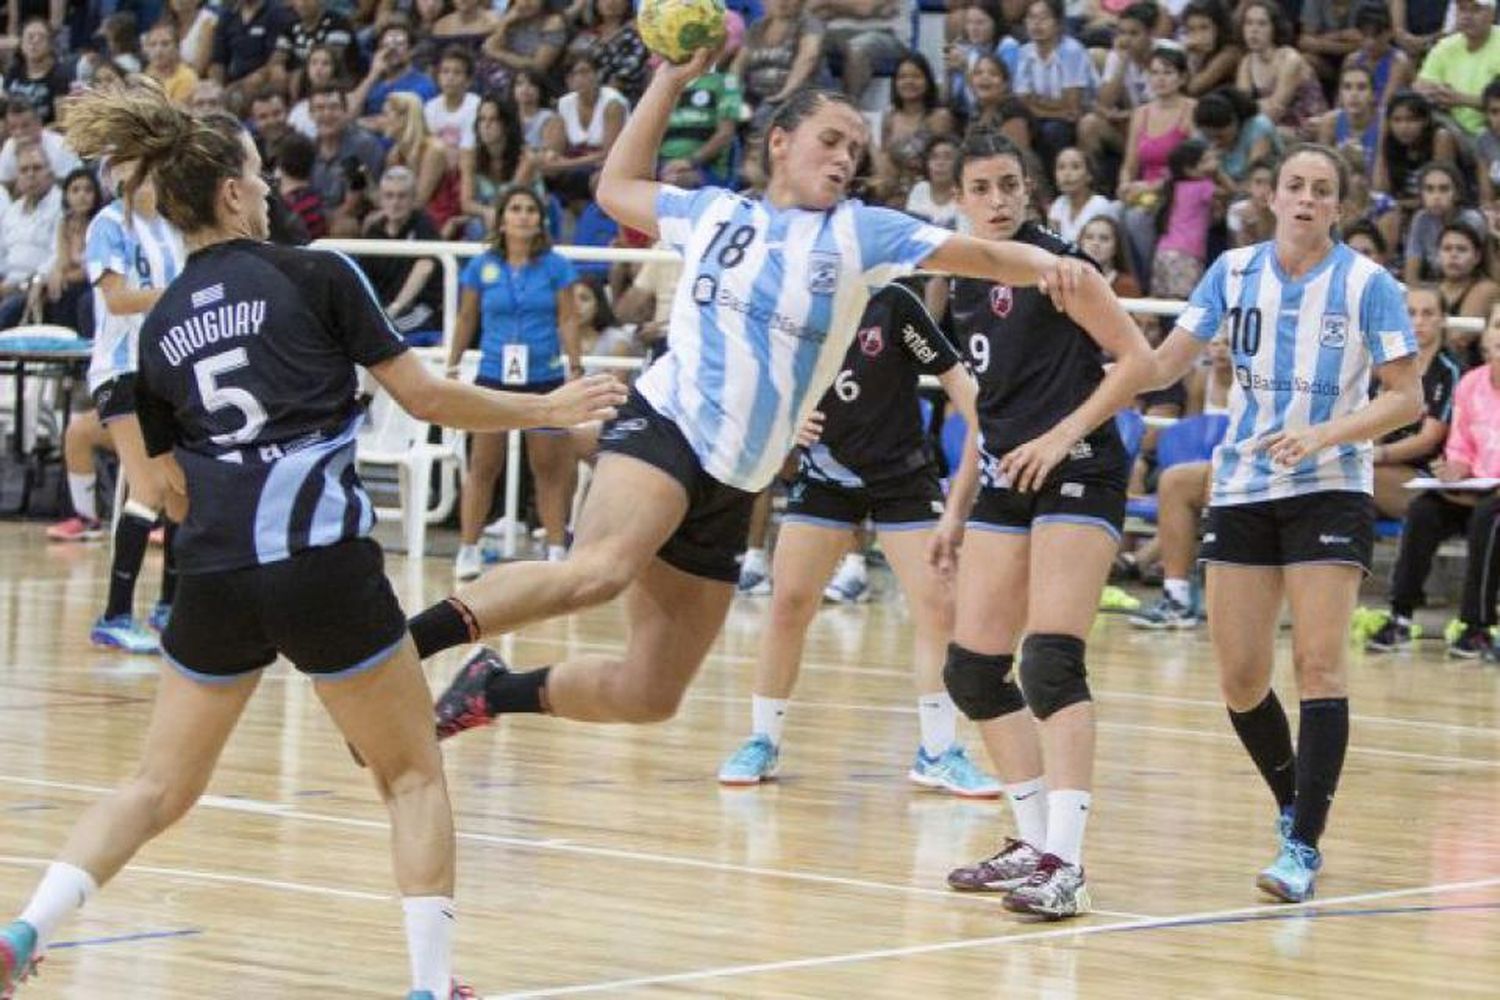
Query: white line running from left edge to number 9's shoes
(617,854)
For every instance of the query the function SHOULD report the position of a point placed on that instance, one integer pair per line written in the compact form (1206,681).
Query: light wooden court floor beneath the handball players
(607,860)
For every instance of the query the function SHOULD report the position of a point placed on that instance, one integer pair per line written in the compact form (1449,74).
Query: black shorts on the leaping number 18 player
(712,537)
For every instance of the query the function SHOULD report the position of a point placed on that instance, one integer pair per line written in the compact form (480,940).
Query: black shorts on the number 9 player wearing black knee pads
(1088,488)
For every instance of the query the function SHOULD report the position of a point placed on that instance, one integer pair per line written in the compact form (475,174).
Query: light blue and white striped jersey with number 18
(767,307)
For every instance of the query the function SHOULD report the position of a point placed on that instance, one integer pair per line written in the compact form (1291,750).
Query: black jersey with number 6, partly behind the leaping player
(874,427)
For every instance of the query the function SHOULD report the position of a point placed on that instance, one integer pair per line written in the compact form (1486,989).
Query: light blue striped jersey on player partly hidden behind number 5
(148,254)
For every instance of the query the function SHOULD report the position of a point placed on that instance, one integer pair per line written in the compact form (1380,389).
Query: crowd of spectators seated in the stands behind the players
(1154,127)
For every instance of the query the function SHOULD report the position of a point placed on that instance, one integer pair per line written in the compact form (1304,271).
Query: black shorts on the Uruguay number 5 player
(331,611)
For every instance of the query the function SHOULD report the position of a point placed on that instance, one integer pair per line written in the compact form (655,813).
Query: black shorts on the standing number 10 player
(1328,527)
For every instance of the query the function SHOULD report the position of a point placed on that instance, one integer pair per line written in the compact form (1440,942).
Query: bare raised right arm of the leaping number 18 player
(628,187)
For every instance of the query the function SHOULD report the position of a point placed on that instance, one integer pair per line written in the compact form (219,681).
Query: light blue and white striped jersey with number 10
(1303,353)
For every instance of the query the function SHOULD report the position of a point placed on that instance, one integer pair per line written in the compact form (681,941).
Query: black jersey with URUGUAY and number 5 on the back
(247,373)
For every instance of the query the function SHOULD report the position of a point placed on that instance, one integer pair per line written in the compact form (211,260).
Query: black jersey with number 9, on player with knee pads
(1034,364)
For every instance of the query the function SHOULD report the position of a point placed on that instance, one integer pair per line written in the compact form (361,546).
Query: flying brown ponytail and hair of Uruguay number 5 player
(182,154)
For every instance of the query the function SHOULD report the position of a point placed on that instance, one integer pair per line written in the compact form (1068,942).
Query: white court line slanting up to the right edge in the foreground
(986,942)
